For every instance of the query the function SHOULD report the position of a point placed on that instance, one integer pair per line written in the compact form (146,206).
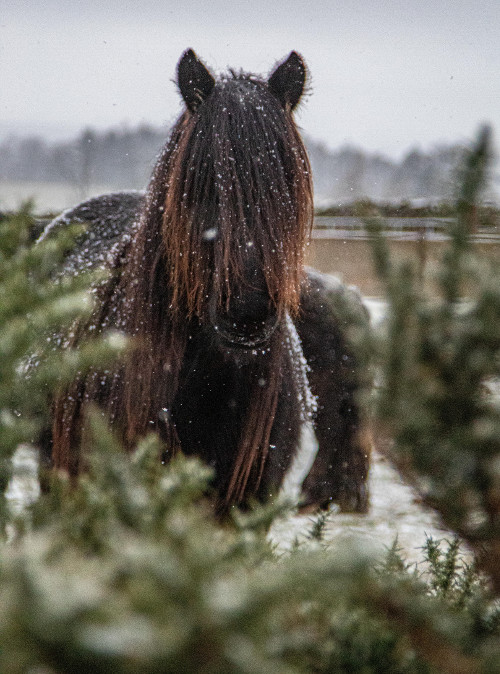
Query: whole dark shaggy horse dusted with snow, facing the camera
(234,345)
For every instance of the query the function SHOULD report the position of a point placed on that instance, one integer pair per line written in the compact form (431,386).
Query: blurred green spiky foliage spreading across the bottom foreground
(127,572)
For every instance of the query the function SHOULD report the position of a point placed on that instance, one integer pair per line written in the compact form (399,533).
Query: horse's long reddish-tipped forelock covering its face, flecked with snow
(237,191)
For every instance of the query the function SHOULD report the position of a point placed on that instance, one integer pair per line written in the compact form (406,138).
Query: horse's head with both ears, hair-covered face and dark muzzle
(238,200)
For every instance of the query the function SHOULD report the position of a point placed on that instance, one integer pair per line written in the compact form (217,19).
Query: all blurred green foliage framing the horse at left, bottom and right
(126,570)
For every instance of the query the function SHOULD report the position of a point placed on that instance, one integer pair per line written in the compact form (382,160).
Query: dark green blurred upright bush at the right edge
(439,401)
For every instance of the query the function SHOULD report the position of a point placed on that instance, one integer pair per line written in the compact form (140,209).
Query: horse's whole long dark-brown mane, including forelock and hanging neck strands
(233,176)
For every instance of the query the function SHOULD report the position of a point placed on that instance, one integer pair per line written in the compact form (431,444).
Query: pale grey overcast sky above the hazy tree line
(385,75)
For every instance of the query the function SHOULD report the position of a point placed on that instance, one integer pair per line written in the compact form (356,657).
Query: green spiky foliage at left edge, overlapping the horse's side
(33,307)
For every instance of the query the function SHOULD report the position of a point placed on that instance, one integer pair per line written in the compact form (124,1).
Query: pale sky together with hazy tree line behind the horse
(396,89)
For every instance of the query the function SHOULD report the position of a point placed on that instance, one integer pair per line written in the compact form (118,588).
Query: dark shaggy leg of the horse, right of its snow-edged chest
(339,472)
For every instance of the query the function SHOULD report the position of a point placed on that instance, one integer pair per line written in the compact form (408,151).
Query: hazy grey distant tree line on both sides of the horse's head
(124,158)
